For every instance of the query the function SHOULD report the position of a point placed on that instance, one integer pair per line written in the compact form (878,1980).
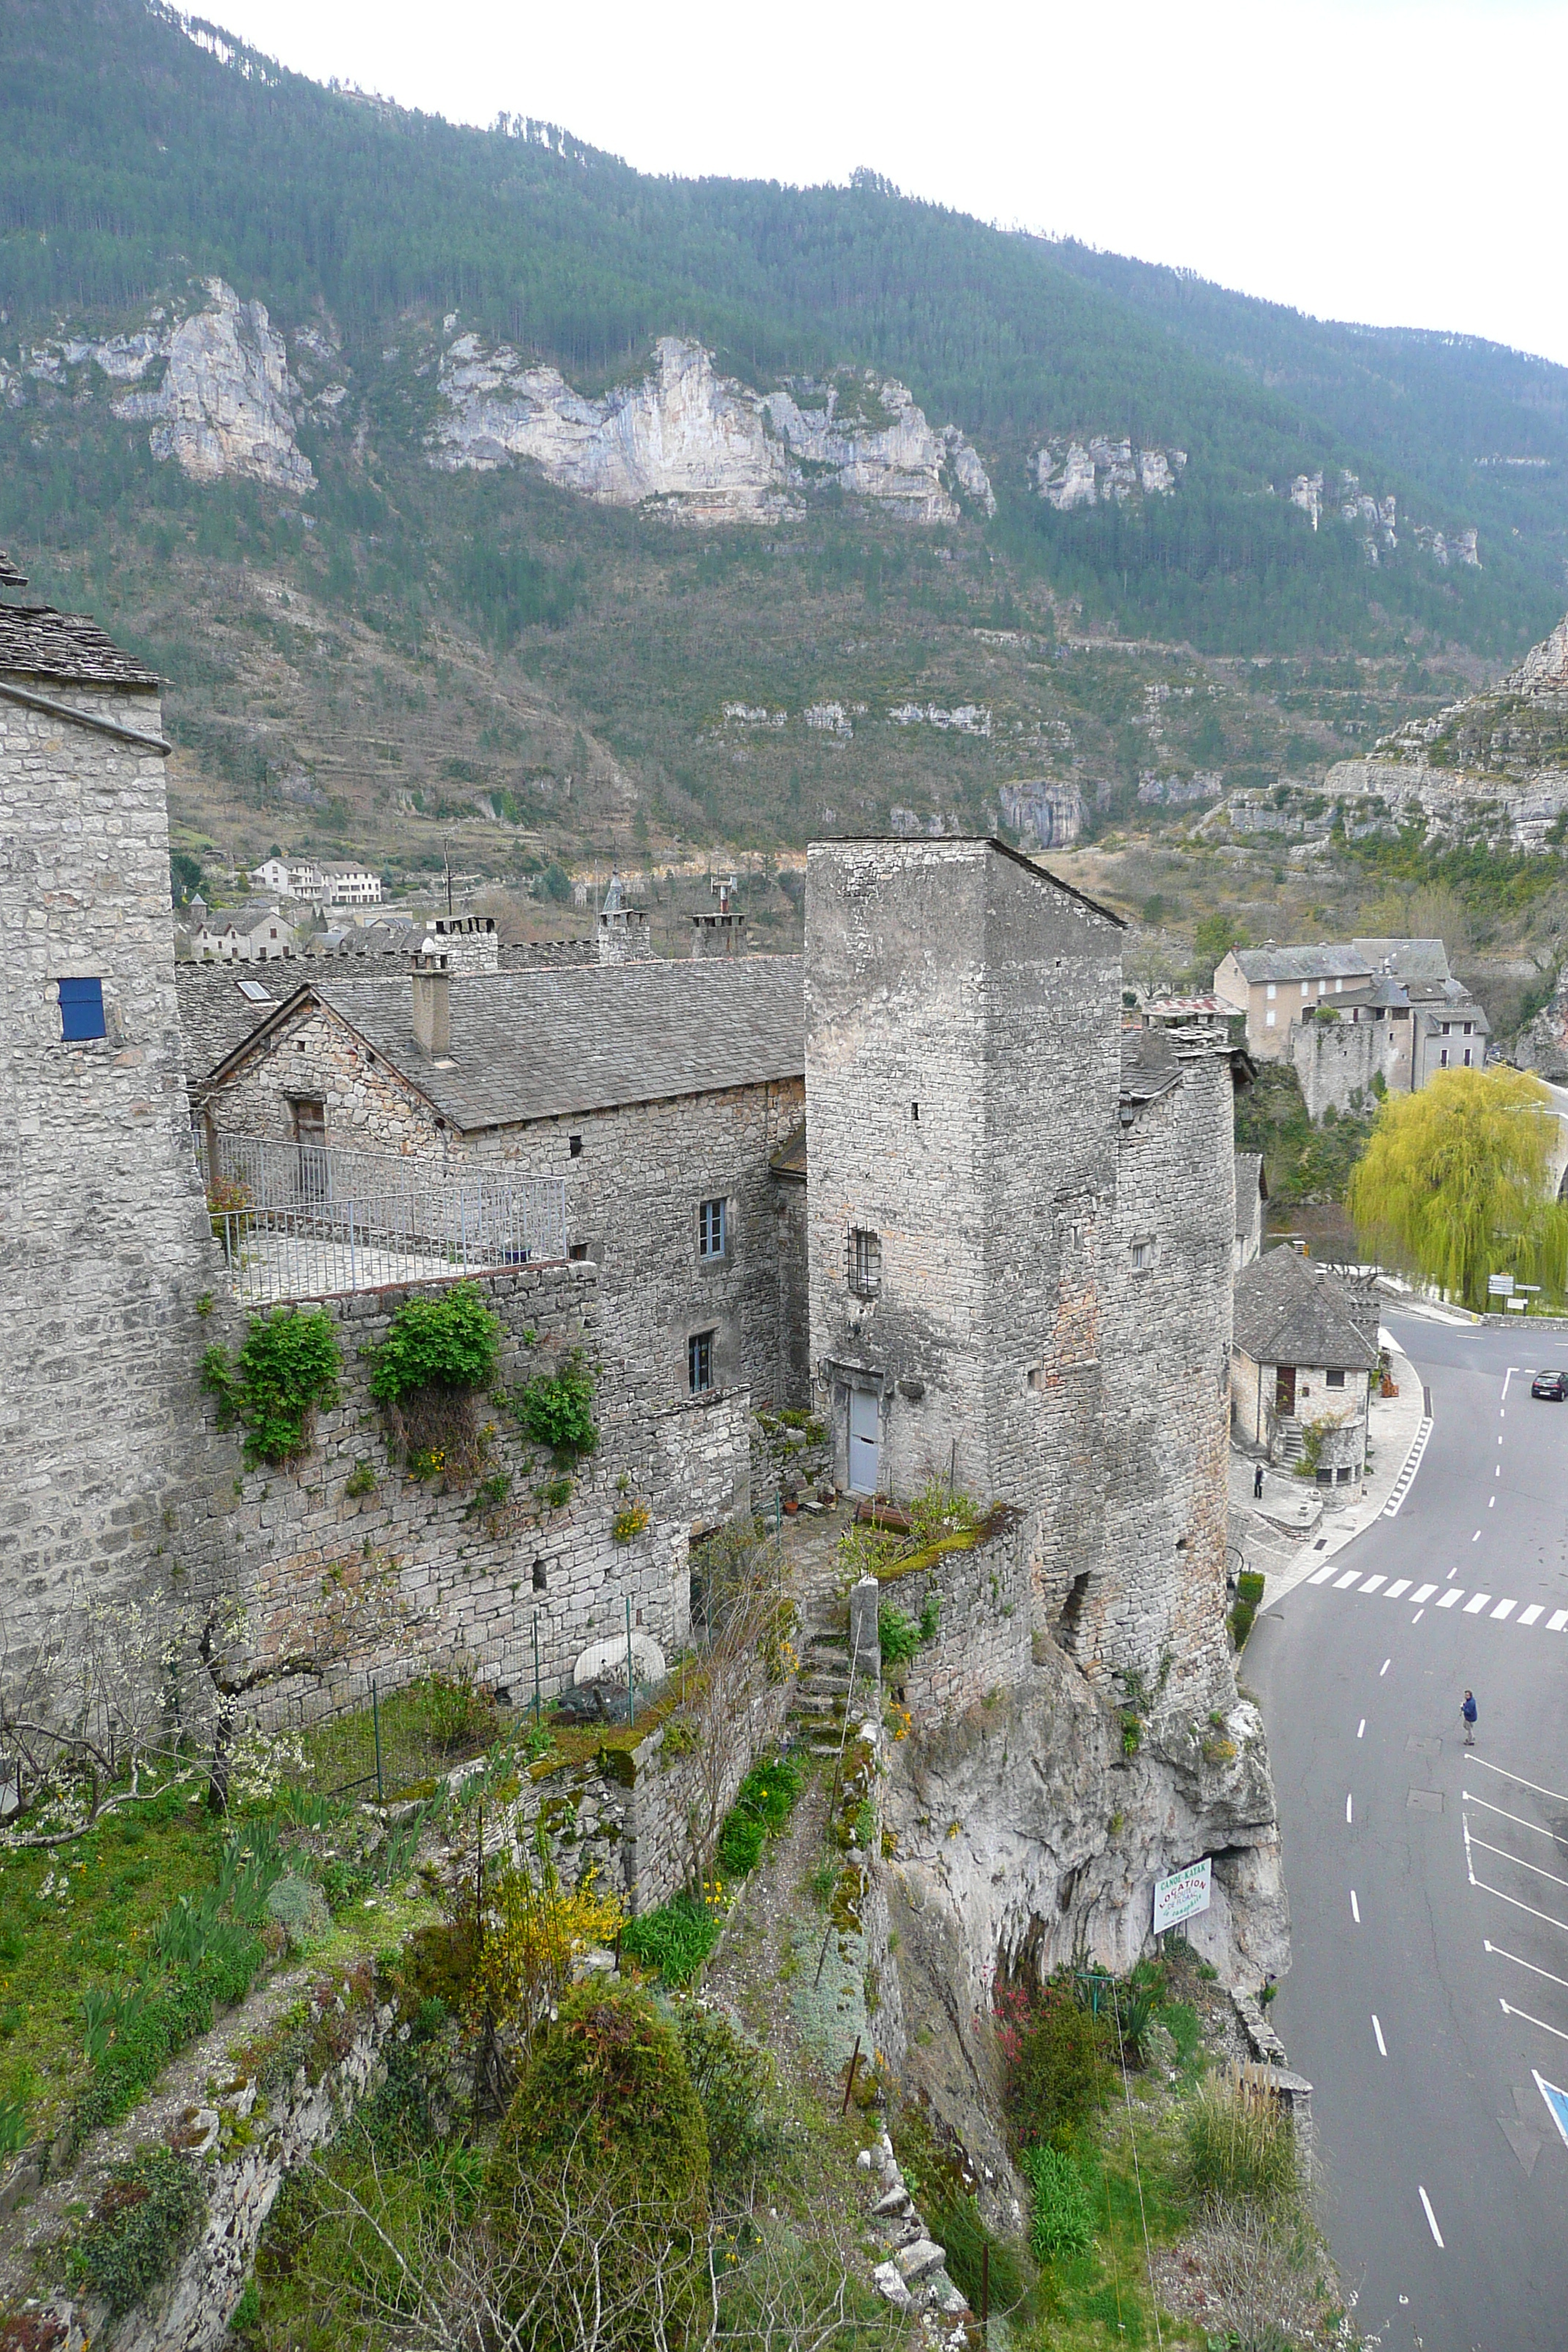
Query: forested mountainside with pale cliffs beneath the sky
(563,497)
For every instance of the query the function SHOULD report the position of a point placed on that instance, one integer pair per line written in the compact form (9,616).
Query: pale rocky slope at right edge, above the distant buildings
(1496,759)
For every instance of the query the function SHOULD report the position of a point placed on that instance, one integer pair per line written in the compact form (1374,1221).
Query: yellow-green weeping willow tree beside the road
(1456,1184)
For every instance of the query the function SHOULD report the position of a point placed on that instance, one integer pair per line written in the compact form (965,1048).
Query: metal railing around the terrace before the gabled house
(309,1220)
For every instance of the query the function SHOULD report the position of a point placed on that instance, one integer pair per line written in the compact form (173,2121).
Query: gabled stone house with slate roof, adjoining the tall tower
(657,1090)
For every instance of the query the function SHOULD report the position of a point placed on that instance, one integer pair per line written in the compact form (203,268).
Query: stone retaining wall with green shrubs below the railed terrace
(413,1575)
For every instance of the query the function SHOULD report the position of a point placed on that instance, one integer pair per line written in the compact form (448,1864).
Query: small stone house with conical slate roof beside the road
(1301,1368)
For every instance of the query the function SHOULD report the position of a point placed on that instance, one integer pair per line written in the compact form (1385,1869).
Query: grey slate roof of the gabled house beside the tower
(540,1045)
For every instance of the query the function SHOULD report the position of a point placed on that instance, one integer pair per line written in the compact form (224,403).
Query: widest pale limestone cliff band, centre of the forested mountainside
(702,443)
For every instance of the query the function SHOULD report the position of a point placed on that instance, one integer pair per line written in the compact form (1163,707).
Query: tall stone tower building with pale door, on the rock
(1021,1231)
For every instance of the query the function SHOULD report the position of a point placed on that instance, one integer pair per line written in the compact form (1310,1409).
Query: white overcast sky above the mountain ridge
(1360,159)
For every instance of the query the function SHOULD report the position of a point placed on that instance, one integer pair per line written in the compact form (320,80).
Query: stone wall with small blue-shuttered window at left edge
(105,1243)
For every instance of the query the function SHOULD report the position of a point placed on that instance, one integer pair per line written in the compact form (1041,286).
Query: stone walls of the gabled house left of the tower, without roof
(634,1191)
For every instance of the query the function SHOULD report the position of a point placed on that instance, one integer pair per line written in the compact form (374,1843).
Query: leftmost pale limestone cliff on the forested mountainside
(227,399)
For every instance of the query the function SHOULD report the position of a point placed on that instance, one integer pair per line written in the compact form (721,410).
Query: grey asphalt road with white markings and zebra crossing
(1428,1996)
